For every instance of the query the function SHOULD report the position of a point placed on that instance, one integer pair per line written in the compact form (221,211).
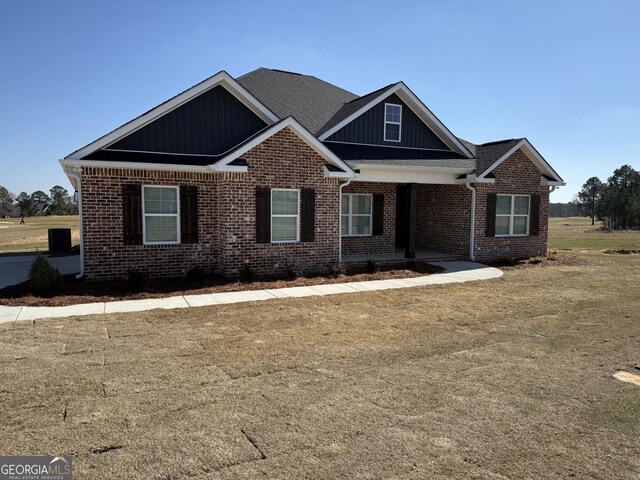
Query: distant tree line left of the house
(57,202)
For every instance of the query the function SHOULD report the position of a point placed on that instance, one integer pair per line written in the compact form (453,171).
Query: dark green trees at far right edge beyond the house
(615,202)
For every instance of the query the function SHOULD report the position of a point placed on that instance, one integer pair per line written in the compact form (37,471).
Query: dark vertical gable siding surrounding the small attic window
(369,128)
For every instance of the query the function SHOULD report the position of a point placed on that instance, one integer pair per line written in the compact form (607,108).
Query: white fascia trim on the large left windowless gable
(221,78)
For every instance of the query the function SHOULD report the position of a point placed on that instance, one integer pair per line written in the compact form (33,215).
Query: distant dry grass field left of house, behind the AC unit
(33,235)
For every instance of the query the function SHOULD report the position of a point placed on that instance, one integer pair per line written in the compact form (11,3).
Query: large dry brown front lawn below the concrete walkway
(509,378)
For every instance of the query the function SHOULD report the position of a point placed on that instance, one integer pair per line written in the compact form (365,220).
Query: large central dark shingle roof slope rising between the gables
(311,101)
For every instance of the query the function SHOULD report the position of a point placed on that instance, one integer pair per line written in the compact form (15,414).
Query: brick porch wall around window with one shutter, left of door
(379,244)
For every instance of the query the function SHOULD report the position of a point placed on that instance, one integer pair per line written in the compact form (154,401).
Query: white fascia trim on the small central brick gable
(223,164)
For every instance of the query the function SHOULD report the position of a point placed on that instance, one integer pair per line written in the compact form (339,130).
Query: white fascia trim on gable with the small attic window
(418,107)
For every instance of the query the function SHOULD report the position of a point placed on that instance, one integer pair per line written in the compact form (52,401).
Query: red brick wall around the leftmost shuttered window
(106,256)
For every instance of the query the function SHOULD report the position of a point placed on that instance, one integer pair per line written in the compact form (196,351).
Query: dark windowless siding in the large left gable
(210,124)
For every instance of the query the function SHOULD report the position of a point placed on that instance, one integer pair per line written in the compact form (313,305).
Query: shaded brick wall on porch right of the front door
(443,218)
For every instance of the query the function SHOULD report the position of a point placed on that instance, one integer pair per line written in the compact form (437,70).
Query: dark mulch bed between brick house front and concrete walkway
(74,291)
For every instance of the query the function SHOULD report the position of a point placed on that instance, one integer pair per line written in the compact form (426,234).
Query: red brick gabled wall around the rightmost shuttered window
(516,175)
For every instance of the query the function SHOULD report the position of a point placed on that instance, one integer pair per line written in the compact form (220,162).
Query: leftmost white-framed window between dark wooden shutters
(160,209)
